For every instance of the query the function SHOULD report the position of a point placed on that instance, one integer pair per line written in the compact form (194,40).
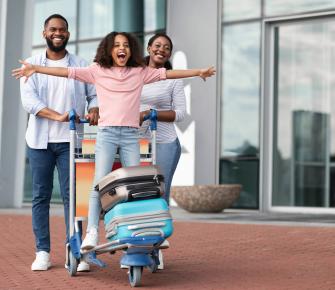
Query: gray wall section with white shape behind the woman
(195,35)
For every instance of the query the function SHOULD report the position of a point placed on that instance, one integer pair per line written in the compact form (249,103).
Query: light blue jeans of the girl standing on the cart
(109,139)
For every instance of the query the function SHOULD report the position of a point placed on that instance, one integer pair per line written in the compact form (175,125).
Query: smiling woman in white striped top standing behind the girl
(168,98)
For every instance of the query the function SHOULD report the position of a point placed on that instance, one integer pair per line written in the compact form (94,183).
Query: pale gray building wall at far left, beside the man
(15,42)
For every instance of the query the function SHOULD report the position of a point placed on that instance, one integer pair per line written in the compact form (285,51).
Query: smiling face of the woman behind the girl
(159,51)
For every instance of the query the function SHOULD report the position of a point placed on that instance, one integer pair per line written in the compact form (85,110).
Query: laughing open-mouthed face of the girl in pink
(120,51)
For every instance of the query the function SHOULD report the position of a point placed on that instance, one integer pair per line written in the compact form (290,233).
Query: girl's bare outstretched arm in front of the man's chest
(28,69)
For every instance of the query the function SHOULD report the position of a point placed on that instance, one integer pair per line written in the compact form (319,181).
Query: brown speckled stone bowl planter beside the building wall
(206,198)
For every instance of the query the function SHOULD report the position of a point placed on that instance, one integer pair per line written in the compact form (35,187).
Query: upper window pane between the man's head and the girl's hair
(96,18)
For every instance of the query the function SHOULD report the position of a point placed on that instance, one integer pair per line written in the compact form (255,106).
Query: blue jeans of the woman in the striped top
(168,155)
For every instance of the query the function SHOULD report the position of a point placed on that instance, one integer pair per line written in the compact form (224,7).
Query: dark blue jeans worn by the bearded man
(42,163)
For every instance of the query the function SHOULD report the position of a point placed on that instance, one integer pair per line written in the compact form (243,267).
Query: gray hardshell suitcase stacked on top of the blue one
(129,184)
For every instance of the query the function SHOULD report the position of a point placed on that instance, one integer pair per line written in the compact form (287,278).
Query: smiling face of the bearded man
(56,34)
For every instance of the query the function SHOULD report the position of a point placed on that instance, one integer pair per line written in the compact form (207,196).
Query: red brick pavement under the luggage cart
(202,256)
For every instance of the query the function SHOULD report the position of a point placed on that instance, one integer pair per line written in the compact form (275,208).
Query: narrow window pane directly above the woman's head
(154,15)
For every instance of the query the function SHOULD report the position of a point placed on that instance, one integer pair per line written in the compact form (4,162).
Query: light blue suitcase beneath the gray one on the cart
(149,217)
